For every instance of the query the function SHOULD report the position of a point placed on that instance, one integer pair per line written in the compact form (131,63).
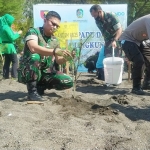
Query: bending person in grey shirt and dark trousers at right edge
(132,38)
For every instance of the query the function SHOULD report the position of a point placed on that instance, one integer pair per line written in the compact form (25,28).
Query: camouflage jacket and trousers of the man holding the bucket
(108,27)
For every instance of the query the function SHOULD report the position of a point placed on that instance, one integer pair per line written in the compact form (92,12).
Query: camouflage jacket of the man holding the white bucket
(108,26)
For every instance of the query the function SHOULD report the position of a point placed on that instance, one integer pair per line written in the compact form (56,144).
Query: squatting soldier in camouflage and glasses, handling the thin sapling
(40,51)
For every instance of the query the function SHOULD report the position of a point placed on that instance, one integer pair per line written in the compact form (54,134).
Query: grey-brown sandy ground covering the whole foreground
(100,118)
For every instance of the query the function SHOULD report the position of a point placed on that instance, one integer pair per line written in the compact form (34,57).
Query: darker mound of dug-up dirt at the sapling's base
(78,106)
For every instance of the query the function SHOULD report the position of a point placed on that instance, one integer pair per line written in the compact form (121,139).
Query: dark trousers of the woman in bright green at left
(8,59)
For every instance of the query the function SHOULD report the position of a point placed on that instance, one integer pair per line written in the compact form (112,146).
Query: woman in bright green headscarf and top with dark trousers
(8,38)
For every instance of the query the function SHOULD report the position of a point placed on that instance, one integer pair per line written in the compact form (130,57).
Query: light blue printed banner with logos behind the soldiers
(79,13)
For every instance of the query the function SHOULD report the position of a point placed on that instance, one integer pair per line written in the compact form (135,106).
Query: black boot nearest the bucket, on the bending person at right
(137,87)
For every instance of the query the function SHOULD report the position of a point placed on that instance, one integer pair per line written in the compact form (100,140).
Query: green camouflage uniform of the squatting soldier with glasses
(34,67)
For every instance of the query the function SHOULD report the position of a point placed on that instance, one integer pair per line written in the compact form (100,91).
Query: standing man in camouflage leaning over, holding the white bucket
(110,28)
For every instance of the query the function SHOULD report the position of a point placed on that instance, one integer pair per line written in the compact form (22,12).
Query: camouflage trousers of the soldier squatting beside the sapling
(33,69)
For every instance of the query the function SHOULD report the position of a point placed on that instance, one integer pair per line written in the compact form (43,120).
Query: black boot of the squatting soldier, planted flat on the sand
(32,92)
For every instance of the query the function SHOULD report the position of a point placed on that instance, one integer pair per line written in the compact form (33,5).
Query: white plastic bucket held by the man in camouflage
(113,70)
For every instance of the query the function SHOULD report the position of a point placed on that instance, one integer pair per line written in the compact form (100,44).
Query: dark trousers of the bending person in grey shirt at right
(140,58)
